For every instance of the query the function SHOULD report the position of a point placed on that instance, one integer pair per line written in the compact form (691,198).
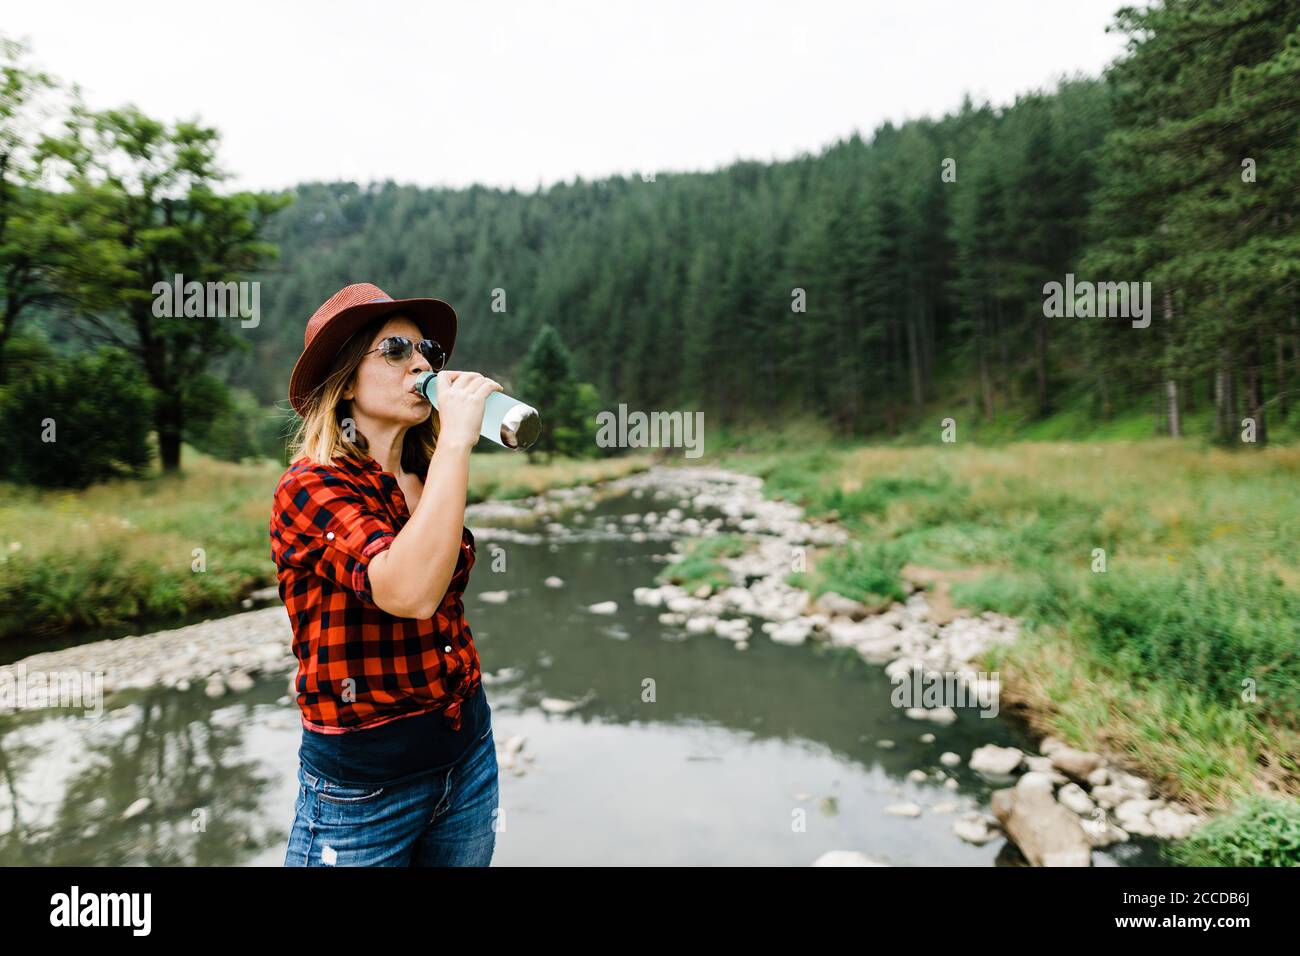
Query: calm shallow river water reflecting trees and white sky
(768,755)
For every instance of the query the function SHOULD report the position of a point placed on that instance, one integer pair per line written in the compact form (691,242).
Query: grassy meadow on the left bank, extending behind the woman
(131,551)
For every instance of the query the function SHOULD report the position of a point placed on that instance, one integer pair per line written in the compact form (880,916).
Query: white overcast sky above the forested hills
(517,94)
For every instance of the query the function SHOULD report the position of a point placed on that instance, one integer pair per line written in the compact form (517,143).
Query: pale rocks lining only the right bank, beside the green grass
(1060,803)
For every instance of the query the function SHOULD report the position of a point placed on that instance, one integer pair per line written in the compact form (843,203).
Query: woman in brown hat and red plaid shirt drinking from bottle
(397,764)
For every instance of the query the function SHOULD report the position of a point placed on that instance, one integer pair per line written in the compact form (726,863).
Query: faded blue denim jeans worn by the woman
(444,817)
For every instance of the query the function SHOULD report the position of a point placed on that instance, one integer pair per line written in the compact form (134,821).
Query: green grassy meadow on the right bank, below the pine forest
(1182,657)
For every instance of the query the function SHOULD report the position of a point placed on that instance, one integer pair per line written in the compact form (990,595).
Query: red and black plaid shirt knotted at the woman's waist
(358,665)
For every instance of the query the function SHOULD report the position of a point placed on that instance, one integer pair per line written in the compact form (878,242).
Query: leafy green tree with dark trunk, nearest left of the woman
(150,206)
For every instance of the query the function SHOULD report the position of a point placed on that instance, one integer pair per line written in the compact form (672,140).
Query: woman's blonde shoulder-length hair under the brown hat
(320,436)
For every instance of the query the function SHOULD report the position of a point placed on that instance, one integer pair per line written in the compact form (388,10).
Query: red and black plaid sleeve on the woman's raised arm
(328,527)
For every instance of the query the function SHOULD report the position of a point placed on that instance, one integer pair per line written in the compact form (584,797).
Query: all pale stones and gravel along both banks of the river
(1056,807)
